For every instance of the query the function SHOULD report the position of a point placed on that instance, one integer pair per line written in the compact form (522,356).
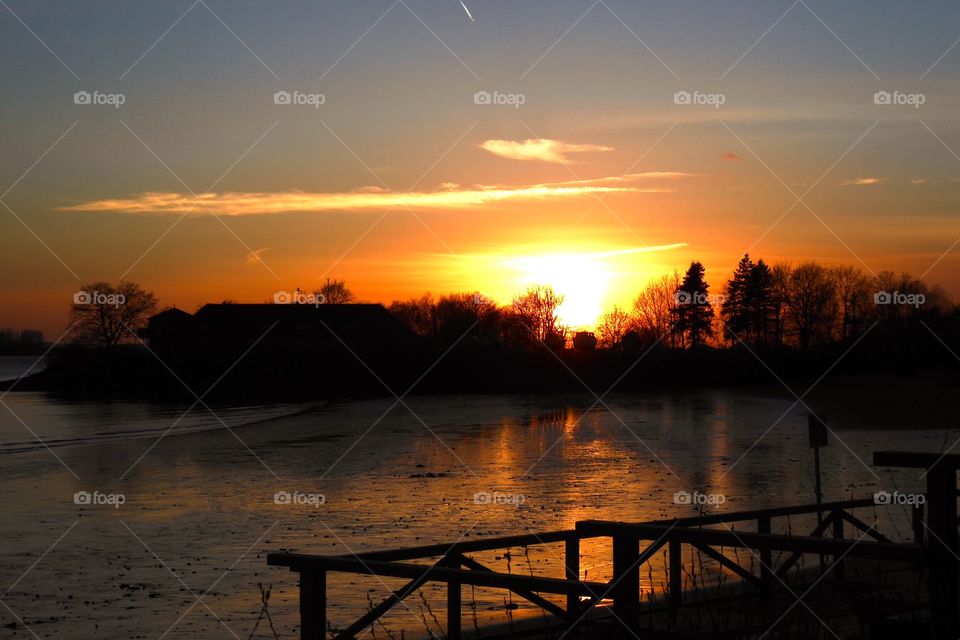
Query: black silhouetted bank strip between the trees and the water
(134,373)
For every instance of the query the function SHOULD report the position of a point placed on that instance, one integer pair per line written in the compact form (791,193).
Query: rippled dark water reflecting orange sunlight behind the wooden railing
(199,506)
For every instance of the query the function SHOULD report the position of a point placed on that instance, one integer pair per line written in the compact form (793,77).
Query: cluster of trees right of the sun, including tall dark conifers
(764,306)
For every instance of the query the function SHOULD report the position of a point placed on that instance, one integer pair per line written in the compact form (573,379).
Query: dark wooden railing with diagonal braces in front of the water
(453,567)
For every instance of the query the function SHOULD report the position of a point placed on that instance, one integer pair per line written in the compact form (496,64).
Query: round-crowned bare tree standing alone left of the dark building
(106,315)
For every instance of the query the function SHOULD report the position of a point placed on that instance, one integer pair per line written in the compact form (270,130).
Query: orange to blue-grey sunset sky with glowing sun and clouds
(583,173)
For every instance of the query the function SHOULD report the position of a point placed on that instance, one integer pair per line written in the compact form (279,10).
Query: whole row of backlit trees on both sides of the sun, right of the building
(763,306)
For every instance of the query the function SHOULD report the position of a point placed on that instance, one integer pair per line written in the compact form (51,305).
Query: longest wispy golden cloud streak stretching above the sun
(449,196)
